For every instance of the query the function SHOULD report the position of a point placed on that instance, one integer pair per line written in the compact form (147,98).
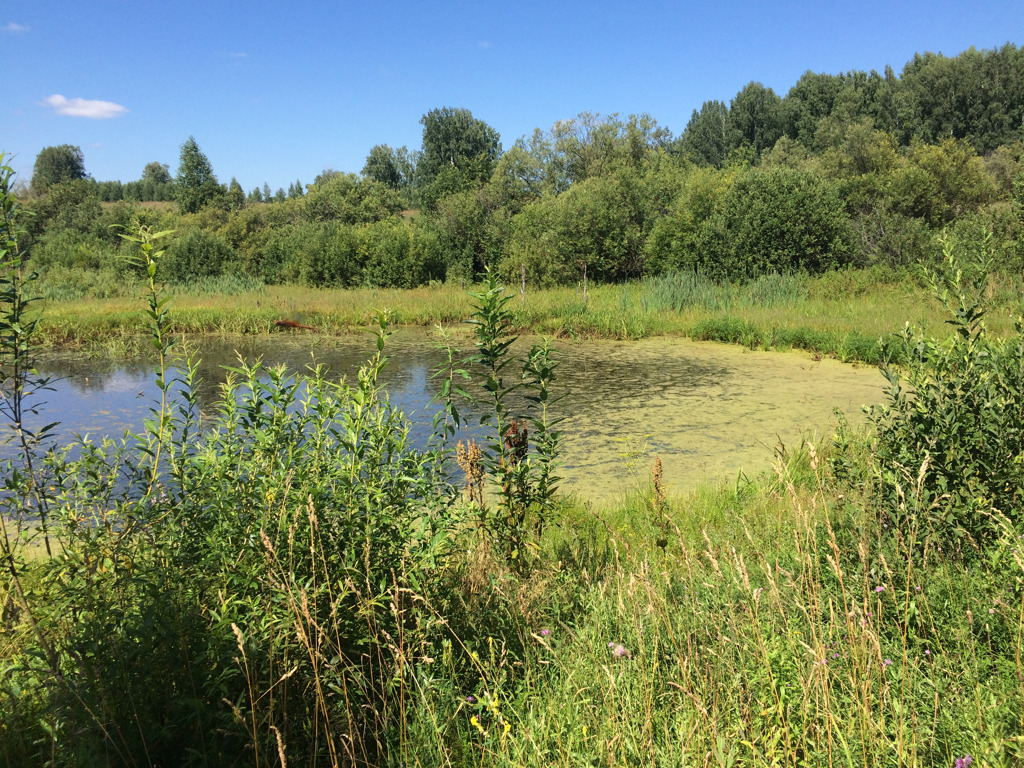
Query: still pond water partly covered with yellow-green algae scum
(709,411)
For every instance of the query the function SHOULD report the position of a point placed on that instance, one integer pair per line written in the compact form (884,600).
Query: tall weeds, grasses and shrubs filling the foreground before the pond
(291,581)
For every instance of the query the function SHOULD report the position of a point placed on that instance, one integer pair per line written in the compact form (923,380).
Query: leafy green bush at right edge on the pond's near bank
(951,436)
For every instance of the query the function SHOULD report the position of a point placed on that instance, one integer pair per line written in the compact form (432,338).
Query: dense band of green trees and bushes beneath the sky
(856,169)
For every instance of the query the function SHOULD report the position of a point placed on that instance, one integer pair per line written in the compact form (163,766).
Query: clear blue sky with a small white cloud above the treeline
(279,92)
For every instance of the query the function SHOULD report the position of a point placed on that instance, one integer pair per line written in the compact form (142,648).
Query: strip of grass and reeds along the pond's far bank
(841,315)
